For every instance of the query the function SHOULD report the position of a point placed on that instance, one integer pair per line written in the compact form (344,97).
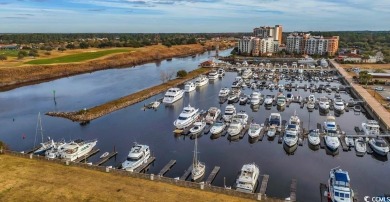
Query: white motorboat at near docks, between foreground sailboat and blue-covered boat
(247,180)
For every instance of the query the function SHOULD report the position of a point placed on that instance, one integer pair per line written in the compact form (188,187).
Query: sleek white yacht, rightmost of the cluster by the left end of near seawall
(76,149)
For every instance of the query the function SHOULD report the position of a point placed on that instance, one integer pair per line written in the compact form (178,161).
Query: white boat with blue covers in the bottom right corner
(339,186)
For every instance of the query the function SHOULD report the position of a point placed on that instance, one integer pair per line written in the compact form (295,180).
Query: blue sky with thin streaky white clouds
(191,15)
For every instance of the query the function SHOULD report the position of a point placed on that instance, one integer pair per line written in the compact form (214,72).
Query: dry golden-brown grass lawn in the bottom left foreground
(31,180)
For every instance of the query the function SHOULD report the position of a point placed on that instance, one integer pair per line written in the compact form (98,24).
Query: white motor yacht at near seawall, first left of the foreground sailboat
(138,155)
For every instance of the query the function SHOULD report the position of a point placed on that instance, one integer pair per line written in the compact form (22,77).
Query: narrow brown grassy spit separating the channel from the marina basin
(101,110)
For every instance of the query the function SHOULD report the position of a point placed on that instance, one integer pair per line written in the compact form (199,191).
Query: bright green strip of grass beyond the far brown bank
(78,57)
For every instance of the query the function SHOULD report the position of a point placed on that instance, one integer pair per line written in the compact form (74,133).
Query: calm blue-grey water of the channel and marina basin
(121,128)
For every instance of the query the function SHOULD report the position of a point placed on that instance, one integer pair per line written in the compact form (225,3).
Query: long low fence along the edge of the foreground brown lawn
(153,177)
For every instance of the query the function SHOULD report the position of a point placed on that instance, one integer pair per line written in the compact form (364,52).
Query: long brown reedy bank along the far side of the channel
(16,77)
